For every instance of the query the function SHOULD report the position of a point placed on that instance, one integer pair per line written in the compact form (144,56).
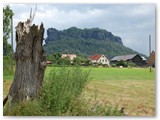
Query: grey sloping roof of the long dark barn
(124,57)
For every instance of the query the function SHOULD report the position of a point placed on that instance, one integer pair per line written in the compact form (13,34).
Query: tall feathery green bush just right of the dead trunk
(61,87)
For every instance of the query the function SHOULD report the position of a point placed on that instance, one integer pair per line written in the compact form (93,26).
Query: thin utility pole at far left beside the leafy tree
(12,43)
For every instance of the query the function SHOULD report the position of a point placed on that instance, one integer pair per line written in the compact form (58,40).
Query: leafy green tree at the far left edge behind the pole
(7,16)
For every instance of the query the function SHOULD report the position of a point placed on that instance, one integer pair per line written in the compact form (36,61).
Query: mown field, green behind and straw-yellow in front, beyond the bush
(131,88)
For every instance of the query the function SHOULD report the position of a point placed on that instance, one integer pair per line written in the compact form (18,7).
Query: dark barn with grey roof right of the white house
(135,58)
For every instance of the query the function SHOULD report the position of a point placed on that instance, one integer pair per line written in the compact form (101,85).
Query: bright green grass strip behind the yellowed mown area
(117,73)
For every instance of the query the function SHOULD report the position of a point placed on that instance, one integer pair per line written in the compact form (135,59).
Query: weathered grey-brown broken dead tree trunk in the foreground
(30,63)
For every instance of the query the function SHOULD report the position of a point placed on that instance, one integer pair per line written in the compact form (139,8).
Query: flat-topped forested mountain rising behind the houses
(85,42)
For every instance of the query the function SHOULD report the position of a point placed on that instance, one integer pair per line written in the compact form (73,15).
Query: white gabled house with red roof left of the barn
(100,59)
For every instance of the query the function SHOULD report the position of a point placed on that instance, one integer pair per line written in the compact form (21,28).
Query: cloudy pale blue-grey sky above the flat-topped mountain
(132,22)
